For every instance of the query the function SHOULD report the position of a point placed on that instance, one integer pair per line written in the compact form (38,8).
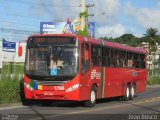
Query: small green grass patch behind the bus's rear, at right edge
(153,80)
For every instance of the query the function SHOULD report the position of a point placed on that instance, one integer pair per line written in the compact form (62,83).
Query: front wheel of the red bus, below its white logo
(93,96)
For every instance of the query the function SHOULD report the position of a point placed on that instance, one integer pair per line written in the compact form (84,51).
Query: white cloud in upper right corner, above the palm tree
(145,17)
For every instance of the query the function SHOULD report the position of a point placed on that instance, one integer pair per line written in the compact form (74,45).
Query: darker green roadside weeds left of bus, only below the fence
(9,91)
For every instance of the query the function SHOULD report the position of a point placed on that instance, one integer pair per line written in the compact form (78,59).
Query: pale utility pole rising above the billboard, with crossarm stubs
(84,14)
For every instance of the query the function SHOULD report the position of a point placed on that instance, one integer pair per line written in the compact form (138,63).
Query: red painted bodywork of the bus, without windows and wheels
(115,81)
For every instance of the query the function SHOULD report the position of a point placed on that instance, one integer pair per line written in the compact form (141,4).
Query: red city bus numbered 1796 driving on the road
(83,69)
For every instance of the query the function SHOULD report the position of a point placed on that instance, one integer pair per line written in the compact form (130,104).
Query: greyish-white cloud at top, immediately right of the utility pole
(109,7)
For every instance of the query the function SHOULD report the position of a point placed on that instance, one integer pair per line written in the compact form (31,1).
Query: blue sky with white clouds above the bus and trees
(113,18)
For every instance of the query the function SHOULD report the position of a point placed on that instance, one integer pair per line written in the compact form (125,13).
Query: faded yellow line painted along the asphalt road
(102,108)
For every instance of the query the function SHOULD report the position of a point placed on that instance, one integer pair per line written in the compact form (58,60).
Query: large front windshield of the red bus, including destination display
(52,57)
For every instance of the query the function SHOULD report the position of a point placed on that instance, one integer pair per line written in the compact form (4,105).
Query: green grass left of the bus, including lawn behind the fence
(9,83)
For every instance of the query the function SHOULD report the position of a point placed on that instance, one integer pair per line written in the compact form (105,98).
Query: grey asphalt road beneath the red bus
(145,106)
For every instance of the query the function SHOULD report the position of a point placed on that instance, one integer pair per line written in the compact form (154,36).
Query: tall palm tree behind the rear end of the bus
(152,39)
